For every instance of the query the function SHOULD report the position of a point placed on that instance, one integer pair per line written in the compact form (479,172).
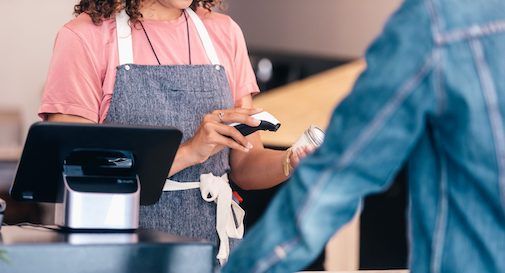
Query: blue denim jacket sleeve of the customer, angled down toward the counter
(369,137)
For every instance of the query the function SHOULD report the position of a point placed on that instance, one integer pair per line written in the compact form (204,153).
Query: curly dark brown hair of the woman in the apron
(100,10)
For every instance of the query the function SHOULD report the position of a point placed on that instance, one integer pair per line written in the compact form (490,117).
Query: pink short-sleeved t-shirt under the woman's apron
(83,67)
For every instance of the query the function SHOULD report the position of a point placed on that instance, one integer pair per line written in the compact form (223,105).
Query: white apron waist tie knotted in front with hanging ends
(217,189)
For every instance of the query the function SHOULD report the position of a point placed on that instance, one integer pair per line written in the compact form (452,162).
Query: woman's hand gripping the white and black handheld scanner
(214,134)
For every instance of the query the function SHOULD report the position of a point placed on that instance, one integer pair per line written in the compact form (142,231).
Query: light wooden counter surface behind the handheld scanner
(306,102)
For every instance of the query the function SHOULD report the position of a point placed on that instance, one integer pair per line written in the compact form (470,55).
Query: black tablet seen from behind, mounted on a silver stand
(39,173)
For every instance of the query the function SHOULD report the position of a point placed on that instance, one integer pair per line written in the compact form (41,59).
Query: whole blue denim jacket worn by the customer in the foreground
(433,95)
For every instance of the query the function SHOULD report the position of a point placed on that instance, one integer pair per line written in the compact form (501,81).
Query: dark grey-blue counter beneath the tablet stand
(30,249)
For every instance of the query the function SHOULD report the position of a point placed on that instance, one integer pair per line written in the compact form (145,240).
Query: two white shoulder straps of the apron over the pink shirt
(125,42)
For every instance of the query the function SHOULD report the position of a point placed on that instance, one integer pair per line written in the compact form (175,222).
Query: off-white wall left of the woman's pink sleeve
(28,30)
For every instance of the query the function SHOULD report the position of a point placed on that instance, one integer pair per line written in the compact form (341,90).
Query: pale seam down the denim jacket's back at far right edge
(493,112)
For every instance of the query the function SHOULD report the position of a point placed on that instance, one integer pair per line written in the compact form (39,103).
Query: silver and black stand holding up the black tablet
(101,190)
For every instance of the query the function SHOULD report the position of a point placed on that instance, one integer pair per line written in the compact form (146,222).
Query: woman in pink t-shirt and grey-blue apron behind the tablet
(169,63)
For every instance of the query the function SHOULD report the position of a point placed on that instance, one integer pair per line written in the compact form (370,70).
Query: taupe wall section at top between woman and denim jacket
(336,28)
